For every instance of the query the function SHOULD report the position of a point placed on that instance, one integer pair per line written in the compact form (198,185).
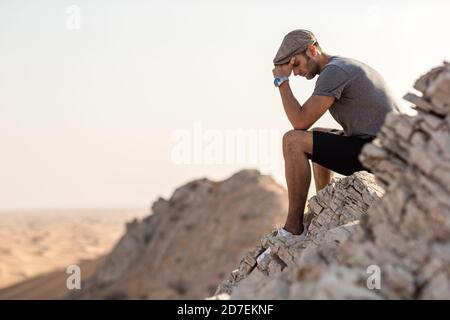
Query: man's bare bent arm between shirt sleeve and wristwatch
(303,117)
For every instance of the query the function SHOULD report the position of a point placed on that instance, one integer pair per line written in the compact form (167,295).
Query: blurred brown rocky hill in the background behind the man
(190,241)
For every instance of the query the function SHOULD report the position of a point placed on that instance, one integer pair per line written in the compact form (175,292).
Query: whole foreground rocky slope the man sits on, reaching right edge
(357,229)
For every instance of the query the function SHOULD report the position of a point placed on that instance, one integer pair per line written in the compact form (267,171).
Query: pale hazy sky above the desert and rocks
(88,114)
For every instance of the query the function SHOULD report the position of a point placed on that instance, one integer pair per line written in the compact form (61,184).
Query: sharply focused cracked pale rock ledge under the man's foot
(331,216)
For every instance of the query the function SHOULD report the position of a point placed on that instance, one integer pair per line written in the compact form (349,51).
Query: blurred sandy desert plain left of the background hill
(37,247)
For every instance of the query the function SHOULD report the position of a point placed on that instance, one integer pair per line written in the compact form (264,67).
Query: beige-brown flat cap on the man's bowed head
(293,43)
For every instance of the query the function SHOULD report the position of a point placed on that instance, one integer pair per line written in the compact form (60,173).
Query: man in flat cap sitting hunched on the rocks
(356,96)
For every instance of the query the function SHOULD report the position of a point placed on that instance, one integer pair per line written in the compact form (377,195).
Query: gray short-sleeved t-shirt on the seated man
(362,96)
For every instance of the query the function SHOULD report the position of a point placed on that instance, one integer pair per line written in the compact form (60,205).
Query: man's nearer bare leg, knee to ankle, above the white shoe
(296,144)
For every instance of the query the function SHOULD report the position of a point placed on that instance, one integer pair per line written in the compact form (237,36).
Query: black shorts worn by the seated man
(338,153)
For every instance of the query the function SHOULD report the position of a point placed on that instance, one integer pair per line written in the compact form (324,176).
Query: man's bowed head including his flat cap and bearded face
(303,45)
